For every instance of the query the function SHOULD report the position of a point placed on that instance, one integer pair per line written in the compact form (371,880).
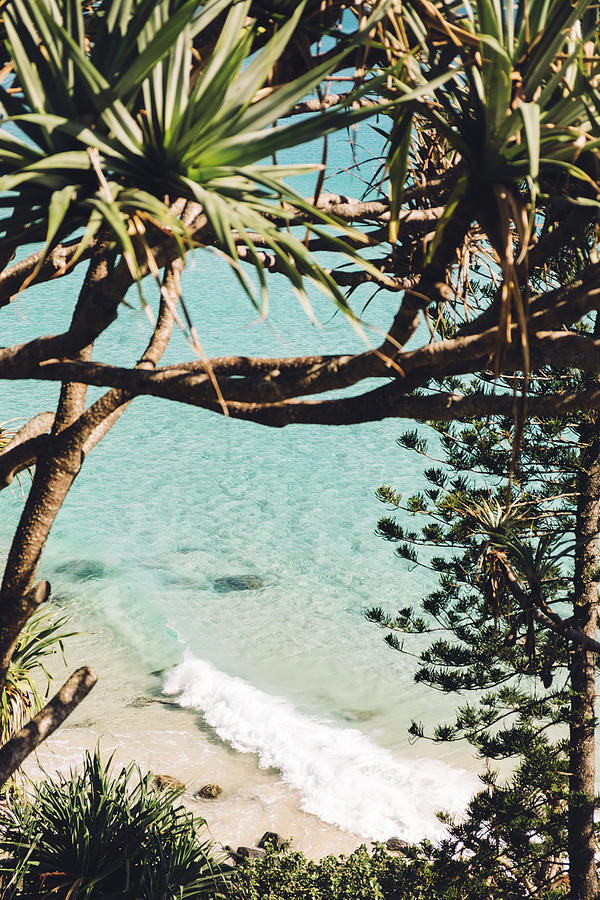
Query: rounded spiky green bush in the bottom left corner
(101,835)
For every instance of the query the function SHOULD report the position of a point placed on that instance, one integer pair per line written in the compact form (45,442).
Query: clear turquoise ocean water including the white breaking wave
(178,508)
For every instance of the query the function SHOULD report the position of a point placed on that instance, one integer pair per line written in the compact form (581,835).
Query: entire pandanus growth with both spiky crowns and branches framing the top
(136,132)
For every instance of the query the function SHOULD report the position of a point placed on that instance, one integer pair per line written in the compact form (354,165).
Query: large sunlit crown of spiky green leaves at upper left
(110,128)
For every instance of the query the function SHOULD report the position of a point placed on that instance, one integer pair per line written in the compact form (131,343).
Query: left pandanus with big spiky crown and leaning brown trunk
(122,147)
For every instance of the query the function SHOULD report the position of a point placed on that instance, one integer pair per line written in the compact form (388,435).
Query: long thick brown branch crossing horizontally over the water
(267,380)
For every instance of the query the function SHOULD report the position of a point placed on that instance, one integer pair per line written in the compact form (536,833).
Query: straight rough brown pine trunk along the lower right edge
(582,845)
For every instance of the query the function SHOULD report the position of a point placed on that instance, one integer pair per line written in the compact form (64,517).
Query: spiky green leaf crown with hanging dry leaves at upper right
(521,108)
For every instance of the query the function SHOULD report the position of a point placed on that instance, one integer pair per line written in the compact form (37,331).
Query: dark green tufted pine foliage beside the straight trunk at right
(496,530)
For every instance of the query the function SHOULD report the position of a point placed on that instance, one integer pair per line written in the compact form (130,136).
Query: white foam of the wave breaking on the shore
(342,776)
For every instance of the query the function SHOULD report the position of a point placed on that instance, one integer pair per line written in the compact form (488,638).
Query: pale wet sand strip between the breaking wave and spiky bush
(166,739)
